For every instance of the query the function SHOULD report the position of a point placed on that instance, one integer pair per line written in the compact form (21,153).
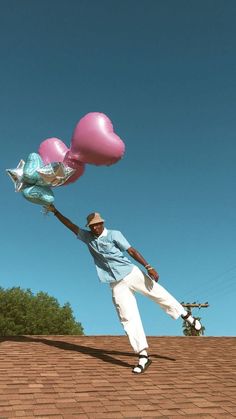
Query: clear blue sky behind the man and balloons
(164,73)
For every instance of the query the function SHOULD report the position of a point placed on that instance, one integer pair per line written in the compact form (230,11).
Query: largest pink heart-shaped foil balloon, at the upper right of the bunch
(94,141)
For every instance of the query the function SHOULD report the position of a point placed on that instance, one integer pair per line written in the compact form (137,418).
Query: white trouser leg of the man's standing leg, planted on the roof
(127,309)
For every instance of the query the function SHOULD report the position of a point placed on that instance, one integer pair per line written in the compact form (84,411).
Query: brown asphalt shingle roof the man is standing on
(91,377)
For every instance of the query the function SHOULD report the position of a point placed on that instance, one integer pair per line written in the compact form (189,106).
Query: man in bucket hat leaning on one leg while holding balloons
(107,248)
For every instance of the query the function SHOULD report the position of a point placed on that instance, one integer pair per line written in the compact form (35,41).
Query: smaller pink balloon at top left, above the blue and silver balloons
(52,150)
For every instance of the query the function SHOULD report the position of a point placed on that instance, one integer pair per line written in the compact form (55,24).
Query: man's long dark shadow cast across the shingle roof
(102,354)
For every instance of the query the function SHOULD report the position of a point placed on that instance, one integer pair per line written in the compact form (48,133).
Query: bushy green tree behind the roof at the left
(23,313)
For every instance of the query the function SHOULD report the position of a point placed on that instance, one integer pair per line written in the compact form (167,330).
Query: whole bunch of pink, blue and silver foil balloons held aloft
(93,142)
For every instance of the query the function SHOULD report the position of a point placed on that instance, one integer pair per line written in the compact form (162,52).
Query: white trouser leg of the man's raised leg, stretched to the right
(140,282)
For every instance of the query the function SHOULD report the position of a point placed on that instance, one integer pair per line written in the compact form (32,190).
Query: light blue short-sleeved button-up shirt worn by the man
(107,252)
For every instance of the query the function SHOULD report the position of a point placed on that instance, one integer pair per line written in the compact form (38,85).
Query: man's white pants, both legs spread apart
(127,309)
